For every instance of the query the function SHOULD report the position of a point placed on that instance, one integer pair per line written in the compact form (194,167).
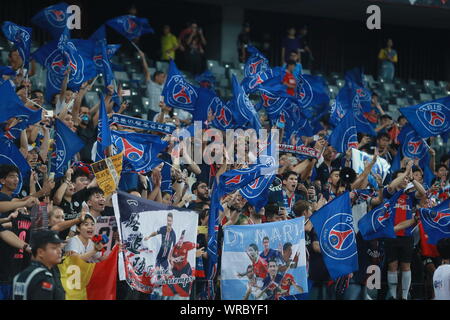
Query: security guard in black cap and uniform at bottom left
(40,281)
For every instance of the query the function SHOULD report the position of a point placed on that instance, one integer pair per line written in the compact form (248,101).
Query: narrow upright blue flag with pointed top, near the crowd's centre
(244,113)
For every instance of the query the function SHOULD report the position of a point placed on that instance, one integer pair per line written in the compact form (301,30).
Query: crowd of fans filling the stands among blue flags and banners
(302,186)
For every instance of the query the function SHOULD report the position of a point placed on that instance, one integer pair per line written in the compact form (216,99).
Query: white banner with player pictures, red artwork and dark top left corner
(160,246)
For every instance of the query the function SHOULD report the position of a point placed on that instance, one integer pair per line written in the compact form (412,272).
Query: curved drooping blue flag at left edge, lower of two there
(10,154)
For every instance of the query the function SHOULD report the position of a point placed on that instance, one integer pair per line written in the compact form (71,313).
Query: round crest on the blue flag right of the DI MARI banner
(338,236)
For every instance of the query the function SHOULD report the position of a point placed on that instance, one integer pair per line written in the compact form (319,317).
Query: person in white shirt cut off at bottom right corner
(441,277)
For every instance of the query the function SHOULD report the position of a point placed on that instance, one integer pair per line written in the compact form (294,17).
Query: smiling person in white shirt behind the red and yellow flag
(82,244)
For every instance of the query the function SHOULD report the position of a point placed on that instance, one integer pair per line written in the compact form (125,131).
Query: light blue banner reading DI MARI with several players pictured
(264,261)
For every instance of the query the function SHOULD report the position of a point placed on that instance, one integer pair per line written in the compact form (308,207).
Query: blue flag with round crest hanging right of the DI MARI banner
(334,226)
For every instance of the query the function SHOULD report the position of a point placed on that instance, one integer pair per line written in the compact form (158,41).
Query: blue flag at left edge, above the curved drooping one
(11,106)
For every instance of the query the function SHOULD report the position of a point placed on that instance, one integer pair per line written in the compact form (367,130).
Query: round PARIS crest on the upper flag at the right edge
(432,117)
